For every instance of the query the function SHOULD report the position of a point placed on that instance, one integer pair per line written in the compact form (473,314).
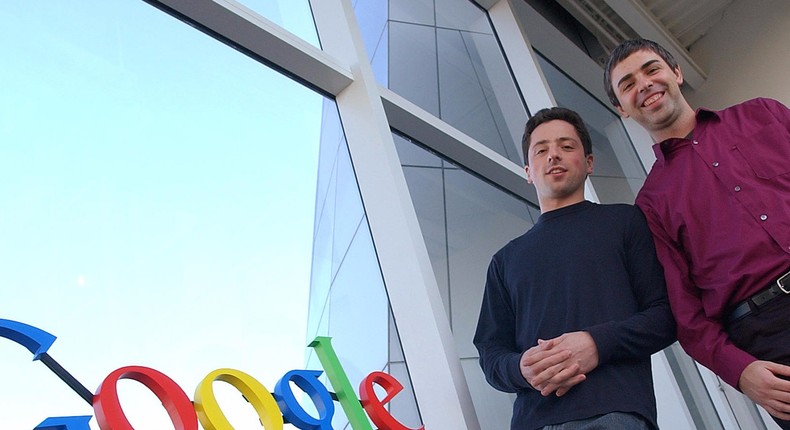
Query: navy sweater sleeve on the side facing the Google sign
(495,338)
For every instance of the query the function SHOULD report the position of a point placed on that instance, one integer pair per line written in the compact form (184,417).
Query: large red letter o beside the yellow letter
(108,410)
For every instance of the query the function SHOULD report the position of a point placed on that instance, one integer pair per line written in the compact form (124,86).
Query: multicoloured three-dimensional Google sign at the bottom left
(273,409)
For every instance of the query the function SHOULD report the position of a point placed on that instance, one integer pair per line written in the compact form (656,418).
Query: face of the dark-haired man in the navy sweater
(557,165)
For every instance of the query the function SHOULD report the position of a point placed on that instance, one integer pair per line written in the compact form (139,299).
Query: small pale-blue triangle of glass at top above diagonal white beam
(292,15)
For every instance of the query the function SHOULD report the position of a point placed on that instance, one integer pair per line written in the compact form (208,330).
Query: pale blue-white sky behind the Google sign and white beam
(156,204)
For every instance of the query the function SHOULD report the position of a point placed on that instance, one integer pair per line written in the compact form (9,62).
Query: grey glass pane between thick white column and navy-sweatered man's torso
(463,221)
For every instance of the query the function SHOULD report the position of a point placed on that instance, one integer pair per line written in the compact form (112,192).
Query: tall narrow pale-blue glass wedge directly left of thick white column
(348,300)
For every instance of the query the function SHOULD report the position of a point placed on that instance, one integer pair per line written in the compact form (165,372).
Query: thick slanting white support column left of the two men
(428,345)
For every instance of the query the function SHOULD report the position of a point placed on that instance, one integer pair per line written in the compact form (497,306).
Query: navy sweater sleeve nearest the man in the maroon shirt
(652,328)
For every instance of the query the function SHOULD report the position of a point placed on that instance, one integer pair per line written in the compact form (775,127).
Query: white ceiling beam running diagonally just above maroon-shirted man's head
(648,26)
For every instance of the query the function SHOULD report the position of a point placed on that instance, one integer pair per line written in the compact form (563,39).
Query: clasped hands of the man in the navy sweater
(556,365)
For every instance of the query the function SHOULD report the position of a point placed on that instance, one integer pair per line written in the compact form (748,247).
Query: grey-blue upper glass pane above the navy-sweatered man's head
(444,57)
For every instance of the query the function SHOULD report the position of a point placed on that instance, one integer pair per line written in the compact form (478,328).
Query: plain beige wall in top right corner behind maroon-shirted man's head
(746,55)
